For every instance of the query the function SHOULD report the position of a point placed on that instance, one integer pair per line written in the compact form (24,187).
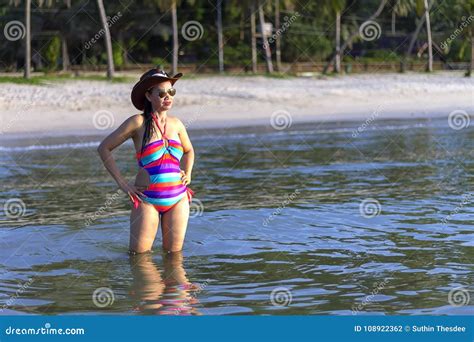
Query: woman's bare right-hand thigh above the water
(174,223)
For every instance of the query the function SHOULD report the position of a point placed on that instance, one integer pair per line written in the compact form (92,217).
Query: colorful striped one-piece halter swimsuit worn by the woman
(162,164)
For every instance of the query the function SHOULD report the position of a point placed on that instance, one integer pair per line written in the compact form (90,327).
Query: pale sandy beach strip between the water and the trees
(96,107)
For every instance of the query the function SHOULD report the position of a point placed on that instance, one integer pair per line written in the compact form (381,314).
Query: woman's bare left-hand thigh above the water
(144,222)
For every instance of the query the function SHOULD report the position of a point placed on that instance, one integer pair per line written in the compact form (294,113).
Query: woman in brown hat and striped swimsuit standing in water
(160,191)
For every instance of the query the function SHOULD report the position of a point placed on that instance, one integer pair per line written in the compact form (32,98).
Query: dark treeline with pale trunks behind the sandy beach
(223,34)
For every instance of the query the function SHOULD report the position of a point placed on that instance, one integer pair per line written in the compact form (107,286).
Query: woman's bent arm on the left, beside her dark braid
(126,130)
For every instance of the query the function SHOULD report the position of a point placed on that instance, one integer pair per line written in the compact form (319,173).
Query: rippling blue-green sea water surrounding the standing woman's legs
(309,220)
